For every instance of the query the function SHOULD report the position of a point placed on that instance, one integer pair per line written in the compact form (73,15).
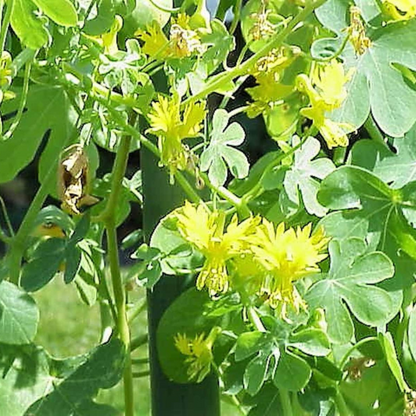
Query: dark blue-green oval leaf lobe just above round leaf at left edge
(47,258)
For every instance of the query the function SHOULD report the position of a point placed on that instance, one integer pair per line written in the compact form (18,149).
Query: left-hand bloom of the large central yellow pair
(205,231)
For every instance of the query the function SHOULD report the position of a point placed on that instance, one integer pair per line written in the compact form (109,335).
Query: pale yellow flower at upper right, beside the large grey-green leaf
(326,92)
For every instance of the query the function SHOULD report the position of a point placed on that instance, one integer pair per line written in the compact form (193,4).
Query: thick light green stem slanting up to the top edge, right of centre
(227,77)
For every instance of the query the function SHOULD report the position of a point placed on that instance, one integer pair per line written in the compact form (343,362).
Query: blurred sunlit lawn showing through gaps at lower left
(69,327)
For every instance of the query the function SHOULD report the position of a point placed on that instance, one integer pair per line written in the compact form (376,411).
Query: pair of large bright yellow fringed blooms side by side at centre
(252,254)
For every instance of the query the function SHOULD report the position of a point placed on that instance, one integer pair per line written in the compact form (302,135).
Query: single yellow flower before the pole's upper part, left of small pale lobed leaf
(171,128)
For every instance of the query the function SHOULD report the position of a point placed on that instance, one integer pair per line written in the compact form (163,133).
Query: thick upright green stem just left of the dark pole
(109,215)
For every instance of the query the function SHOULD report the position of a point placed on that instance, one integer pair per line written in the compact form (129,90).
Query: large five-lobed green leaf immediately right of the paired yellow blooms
(350,282)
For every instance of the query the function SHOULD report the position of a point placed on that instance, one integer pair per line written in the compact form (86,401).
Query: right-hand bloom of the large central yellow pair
(286,256)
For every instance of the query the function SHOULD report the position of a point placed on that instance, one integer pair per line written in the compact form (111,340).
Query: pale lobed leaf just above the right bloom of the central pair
(300,178)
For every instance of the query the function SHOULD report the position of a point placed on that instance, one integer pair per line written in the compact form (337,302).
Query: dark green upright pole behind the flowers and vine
(168,398)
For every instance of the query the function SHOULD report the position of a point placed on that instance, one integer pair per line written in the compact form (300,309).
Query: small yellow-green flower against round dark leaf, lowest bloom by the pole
(199,353)
